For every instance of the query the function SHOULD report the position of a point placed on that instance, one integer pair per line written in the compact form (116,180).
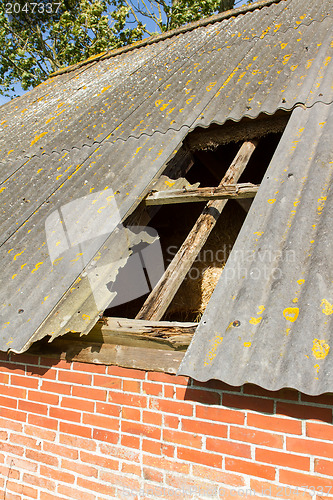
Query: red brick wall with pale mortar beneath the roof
(88,432)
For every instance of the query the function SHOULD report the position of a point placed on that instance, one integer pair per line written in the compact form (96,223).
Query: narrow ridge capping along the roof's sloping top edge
(168,34)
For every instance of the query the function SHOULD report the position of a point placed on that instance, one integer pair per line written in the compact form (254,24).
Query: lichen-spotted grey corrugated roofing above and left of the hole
(112,124)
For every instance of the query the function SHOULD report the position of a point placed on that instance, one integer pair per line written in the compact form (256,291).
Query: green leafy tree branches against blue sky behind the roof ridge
(36,42)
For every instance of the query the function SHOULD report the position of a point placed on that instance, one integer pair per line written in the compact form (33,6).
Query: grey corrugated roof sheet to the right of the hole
(278,282)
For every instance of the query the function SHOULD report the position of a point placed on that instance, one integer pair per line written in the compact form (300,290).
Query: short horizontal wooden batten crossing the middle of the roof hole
(188,195)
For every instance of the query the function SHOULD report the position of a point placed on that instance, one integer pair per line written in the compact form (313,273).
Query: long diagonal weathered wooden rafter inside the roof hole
(159,299)
